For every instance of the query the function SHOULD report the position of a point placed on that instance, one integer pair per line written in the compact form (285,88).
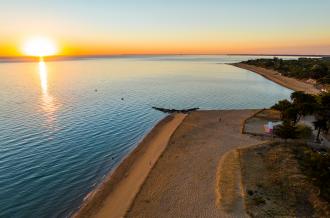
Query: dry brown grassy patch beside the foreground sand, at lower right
(276,185)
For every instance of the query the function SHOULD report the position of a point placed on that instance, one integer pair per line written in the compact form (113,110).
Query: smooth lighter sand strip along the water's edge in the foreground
(113,197)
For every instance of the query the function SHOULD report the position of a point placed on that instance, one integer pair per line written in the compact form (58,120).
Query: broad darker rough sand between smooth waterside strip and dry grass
(183,181)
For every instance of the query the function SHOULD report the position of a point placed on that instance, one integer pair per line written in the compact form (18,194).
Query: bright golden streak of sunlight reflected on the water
(48,104)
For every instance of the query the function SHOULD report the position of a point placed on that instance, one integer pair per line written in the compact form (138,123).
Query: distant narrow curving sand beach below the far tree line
(291,83)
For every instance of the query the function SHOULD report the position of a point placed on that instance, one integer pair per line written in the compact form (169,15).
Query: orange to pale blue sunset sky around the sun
(106,27)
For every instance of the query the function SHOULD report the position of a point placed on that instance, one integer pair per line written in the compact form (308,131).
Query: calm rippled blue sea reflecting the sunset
(64,125)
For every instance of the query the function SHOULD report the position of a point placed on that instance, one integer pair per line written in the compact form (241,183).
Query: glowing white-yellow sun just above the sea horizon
(39,47)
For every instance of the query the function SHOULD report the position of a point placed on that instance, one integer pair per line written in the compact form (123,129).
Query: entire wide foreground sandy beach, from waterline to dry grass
(179,164)
